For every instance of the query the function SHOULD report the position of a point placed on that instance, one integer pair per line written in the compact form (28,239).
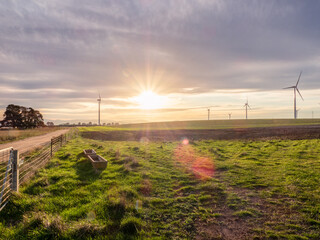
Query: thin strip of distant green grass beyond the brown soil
(212,124)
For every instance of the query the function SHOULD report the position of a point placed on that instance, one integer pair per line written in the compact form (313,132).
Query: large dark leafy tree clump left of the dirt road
(21,117)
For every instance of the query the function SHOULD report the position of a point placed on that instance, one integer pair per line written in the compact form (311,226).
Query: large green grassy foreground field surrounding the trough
(200,190)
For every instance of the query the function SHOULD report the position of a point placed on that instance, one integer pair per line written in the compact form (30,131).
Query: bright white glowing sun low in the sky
(150,100)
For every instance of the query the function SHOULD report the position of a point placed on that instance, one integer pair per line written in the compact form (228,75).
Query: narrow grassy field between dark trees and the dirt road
(13,135)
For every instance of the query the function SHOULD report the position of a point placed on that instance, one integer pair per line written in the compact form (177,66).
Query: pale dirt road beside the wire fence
(31,143)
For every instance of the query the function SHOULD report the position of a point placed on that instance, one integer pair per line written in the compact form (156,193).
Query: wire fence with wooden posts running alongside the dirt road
(15,171)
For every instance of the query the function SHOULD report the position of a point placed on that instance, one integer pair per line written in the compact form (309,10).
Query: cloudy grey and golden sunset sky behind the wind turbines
(159,60)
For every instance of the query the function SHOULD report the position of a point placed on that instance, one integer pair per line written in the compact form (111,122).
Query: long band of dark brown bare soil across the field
(288,132)
